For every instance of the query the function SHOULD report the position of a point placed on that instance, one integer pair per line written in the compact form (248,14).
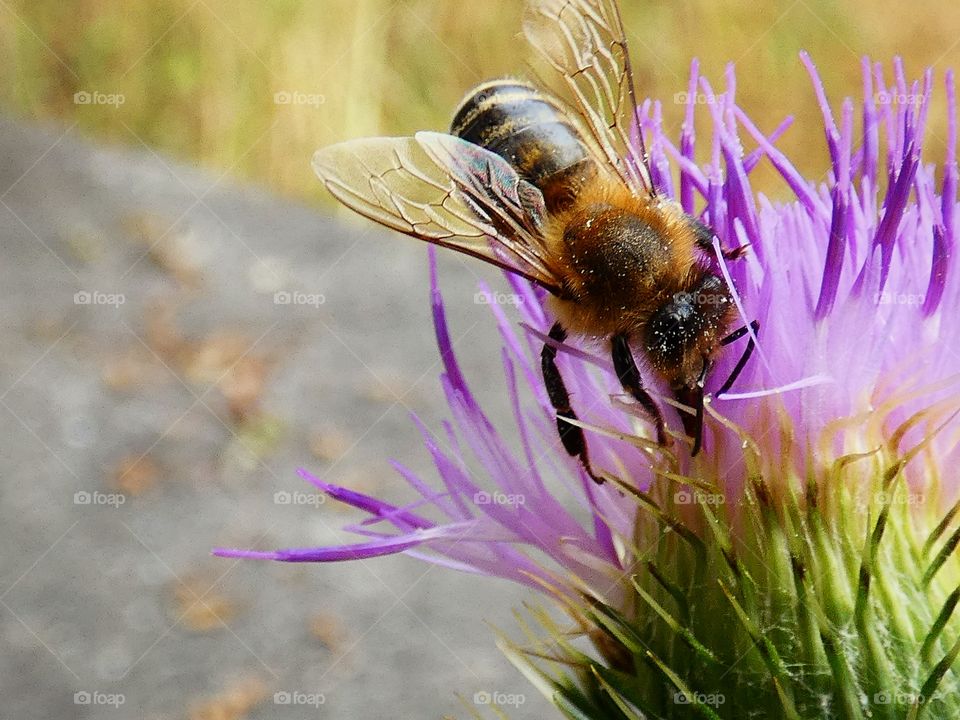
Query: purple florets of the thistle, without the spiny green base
(851,281)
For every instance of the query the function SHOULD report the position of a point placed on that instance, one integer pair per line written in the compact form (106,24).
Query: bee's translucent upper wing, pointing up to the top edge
(584,42)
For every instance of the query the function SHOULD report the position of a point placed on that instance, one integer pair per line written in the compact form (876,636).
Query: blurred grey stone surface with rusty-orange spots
(97,598)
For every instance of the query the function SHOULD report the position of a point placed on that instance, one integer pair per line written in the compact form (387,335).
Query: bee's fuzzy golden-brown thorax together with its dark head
(631,266)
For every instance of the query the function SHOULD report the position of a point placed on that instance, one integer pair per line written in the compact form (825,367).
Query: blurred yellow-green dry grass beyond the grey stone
(199,77)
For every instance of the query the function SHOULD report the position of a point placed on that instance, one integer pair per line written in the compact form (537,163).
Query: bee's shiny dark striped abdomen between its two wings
(529,130)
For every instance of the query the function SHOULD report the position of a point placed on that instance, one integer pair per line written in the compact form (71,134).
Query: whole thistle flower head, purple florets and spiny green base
(803,565)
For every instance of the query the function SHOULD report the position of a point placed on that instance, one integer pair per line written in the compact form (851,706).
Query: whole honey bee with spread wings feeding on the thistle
(545,182)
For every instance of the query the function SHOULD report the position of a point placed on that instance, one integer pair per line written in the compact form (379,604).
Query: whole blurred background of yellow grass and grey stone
(185,324)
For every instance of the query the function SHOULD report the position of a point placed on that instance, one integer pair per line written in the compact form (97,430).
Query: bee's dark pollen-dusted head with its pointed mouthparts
(683,335)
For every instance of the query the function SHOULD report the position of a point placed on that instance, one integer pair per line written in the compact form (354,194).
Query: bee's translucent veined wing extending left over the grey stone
(447,191)
